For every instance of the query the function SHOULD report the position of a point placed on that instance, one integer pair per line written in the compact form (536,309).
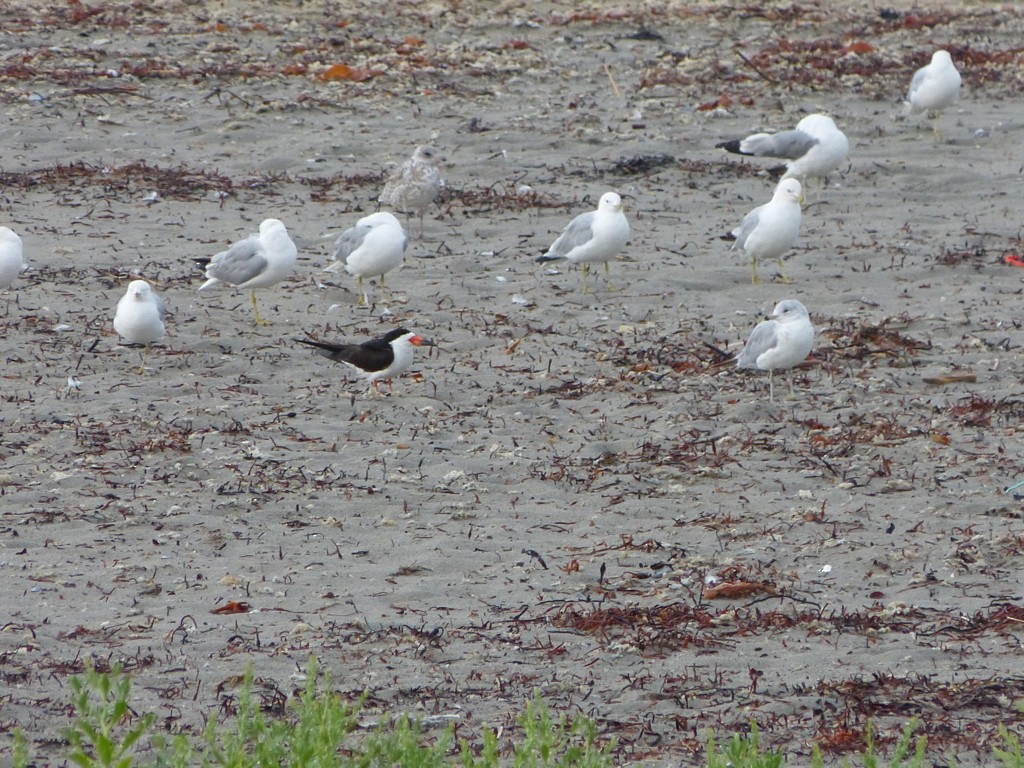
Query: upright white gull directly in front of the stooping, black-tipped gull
(772,230)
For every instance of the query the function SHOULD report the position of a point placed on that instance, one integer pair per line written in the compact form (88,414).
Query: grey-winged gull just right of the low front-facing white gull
(259,262)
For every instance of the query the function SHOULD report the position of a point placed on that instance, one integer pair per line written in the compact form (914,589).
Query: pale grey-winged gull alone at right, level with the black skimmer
(780,344)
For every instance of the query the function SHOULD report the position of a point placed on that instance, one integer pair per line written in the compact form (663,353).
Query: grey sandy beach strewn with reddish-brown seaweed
(574,492)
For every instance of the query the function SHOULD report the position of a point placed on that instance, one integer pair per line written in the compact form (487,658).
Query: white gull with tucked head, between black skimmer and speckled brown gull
(372,248)
